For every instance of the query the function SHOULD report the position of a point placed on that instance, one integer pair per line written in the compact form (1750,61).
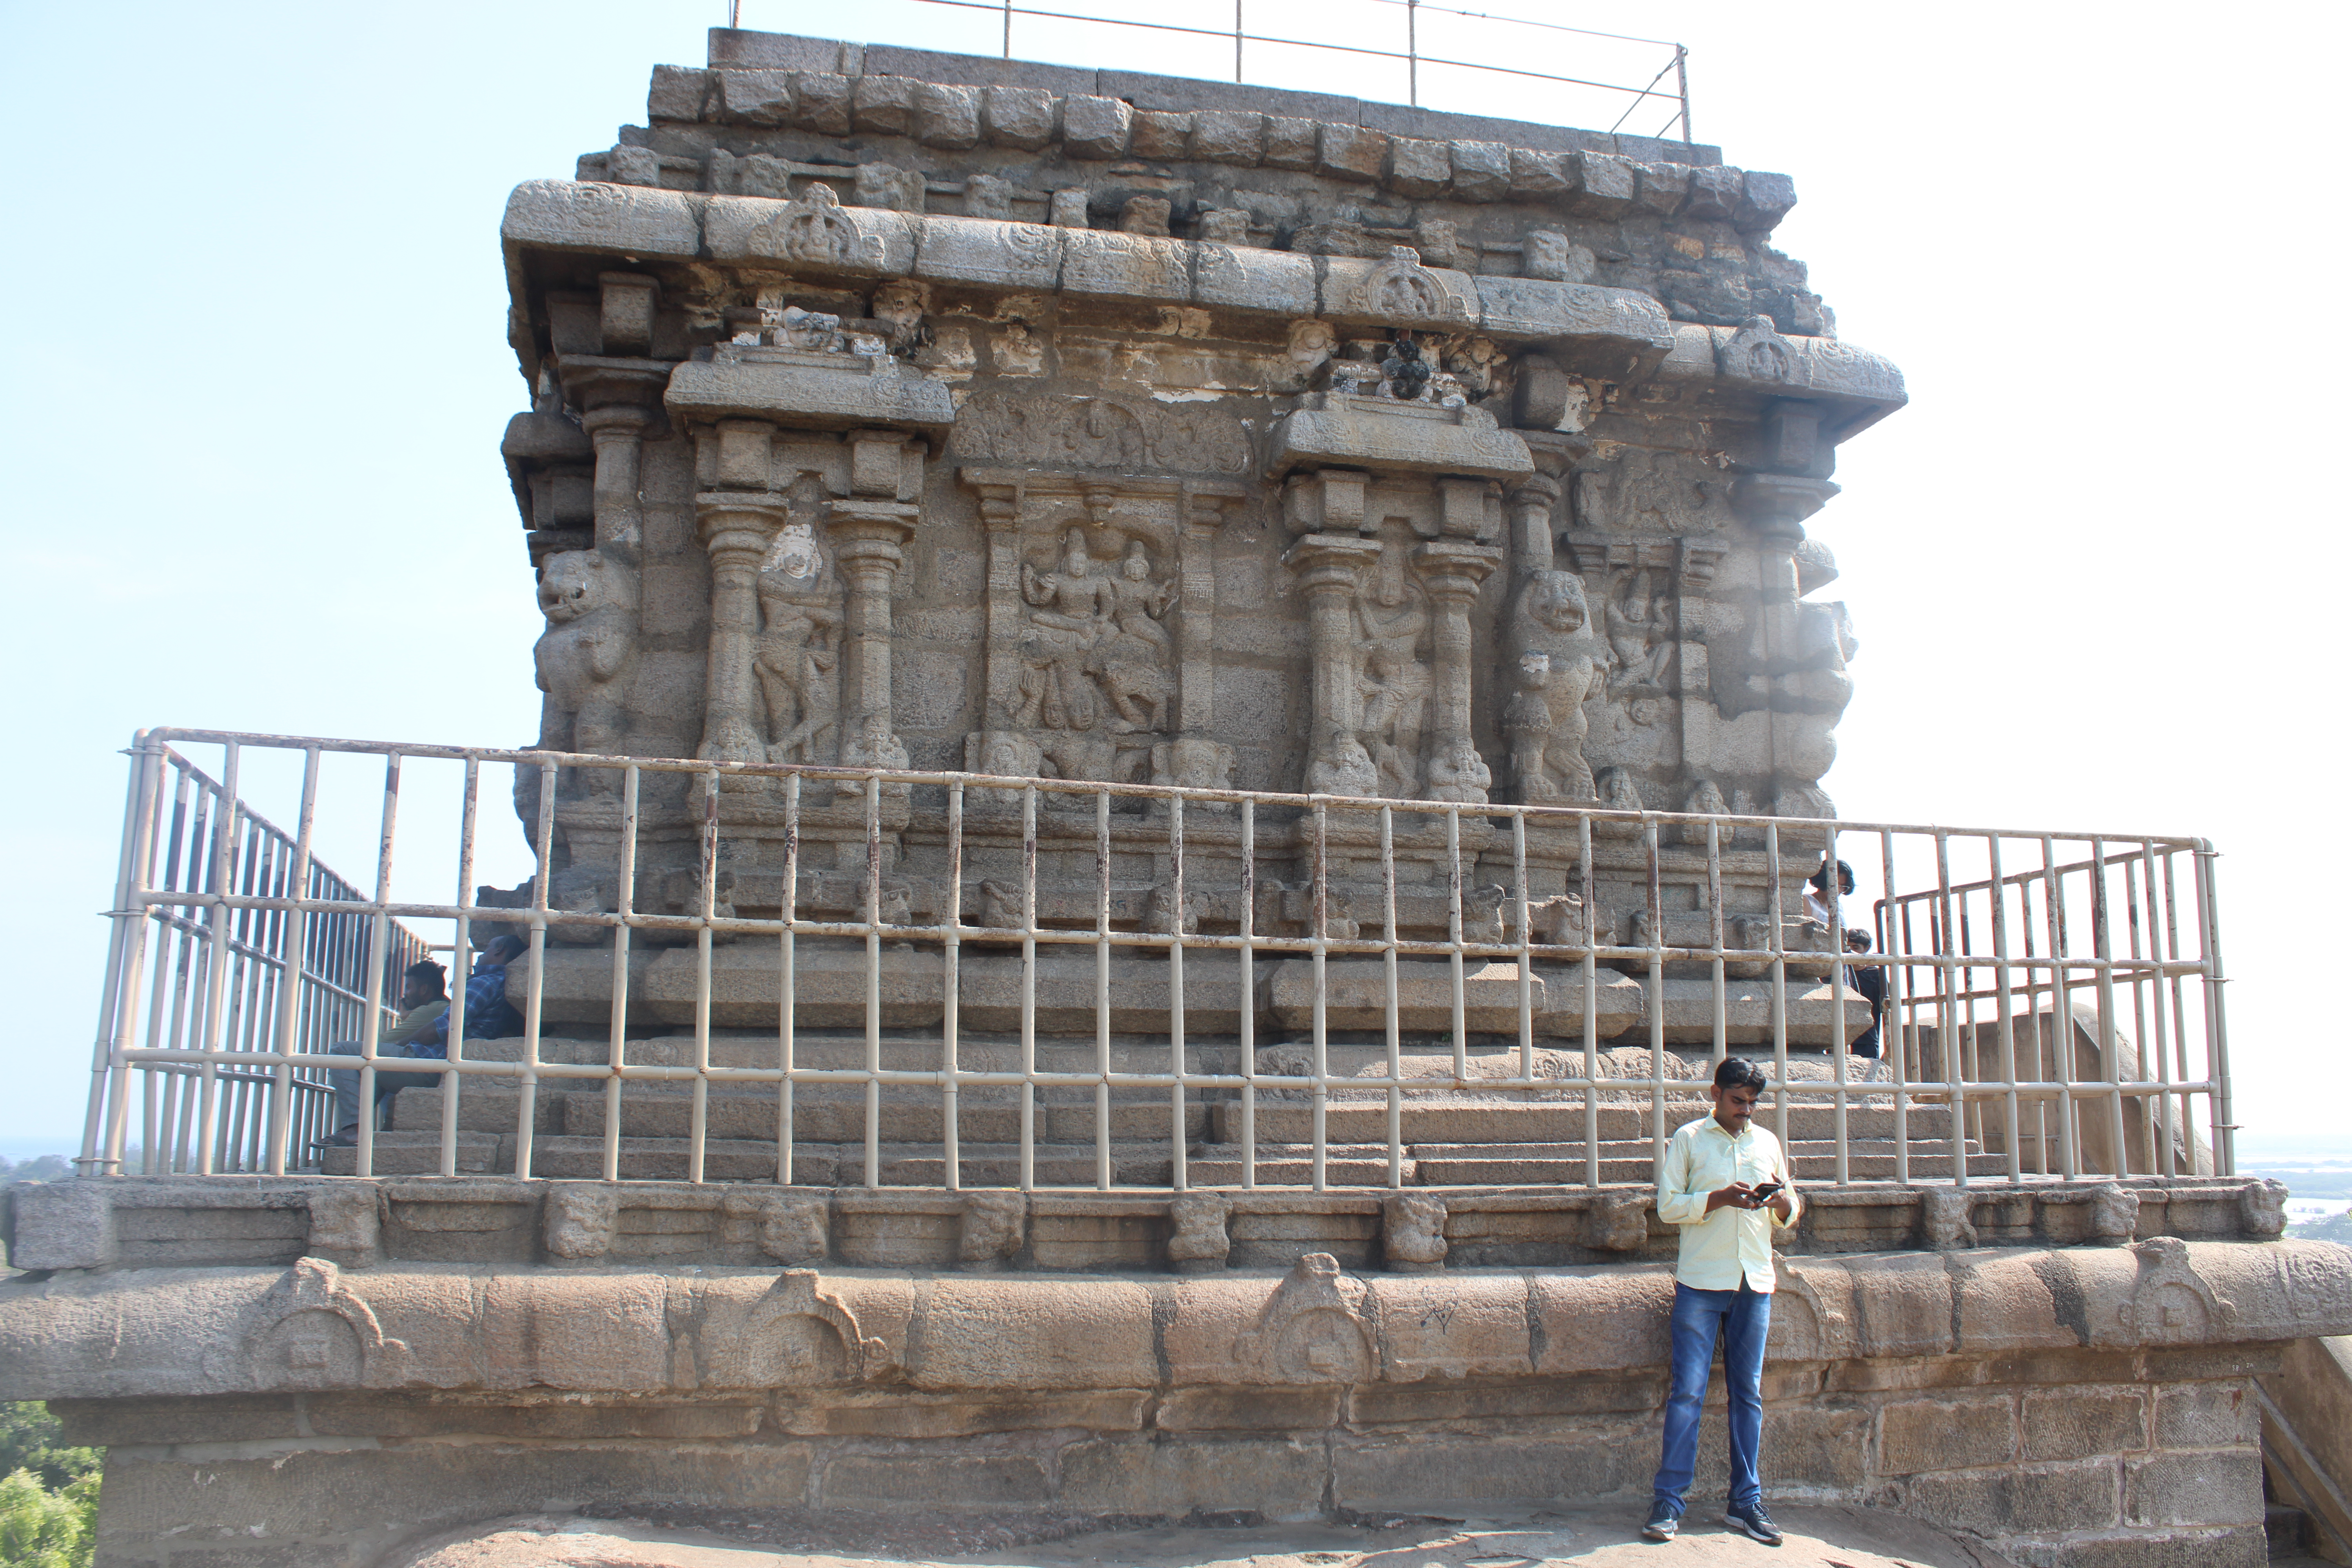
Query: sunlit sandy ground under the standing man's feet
(1586,1539)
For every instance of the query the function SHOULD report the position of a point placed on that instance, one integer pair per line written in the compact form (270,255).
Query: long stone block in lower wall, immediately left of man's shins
(1382,1473)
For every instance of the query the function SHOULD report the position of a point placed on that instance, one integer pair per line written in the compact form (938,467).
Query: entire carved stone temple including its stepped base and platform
(1372,551)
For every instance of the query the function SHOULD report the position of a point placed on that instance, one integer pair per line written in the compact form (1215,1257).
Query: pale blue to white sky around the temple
(260,375)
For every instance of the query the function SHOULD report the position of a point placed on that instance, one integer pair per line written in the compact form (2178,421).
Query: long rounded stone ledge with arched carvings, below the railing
(641,1332)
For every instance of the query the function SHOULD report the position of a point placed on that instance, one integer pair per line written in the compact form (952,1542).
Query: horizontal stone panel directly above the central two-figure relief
(1100,434)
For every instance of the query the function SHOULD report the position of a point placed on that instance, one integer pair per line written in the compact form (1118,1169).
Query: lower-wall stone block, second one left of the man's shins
(1281,1480)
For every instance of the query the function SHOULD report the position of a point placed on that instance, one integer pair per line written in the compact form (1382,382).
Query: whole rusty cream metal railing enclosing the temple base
(1438,942)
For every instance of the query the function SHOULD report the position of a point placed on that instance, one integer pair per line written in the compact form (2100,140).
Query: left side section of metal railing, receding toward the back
(250,958)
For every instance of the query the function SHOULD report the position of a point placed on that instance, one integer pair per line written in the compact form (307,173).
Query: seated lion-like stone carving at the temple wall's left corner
(587,657)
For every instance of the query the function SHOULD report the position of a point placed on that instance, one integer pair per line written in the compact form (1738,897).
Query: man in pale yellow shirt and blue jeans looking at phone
(1725,1184)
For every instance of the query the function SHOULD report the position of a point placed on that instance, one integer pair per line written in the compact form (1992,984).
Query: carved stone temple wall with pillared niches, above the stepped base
(1055,431)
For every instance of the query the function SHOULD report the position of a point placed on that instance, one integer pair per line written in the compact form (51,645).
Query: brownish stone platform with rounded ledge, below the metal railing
(2057,1405)
